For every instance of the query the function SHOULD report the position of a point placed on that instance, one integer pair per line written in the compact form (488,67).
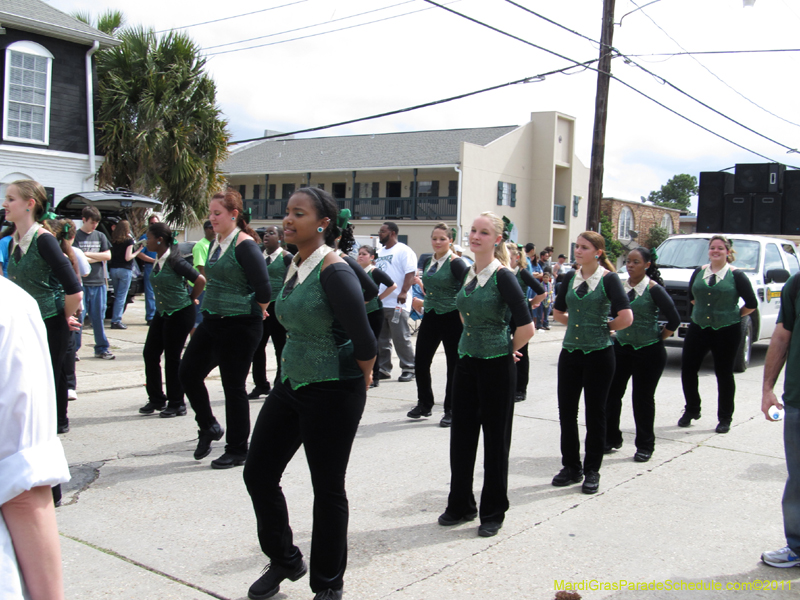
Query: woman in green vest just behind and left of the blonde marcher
(442,276)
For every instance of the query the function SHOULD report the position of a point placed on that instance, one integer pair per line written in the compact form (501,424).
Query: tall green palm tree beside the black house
(160,128)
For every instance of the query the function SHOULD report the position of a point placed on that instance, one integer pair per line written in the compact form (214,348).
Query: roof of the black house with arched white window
(38,17)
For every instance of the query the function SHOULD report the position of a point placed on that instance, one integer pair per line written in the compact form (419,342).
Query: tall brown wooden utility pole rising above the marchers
(600,115)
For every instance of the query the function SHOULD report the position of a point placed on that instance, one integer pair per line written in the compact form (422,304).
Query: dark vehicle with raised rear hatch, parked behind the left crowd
(114,205)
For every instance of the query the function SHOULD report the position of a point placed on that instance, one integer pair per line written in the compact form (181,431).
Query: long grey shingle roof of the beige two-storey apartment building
(385,150)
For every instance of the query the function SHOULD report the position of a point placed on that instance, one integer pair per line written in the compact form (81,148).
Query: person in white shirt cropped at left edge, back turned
(31,456)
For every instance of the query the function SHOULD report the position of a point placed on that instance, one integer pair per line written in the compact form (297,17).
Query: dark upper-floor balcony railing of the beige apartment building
(433,208)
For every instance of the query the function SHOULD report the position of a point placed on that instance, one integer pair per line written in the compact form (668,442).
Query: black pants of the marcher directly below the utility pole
(590,373)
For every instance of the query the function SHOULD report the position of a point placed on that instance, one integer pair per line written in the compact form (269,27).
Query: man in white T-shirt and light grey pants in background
(399,262)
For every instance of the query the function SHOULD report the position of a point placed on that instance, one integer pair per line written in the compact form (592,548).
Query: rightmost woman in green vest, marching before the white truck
(714,291)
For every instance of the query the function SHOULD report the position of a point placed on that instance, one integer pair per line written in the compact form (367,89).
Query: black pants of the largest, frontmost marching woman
(323,417)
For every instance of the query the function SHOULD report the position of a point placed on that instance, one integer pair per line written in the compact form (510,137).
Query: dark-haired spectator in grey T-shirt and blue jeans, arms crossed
(96,247)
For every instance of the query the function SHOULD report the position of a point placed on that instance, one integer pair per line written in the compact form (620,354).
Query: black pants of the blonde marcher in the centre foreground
(483,399)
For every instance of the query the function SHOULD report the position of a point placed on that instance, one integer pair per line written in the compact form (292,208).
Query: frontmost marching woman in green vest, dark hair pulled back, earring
(326,367)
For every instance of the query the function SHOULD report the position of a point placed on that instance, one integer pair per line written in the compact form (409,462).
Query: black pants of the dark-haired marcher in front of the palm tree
(167,335)
